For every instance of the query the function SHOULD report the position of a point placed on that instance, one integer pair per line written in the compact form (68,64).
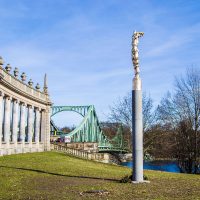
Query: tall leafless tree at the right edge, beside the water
(181,111)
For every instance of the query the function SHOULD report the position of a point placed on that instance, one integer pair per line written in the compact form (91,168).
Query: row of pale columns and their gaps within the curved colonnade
(19,122)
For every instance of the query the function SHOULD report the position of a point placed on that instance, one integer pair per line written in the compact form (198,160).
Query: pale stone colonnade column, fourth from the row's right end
(15,122)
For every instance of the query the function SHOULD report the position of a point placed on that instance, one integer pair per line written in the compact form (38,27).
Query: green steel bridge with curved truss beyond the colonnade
(89,129)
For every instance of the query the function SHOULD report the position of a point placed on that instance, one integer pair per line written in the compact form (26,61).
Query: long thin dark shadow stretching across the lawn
(63,175)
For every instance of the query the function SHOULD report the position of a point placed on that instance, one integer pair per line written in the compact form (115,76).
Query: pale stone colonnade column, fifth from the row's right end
(6,128)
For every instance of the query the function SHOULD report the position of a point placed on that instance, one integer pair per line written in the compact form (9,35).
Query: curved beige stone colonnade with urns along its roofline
(24,113)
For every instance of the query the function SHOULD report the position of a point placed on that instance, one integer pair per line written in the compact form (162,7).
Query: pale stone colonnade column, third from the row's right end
(22,124)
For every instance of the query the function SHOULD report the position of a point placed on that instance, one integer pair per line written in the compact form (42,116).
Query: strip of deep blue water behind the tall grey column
(161,165)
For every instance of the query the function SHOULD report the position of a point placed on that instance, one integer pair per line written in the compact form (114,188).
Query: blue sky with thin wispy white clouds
(85,46)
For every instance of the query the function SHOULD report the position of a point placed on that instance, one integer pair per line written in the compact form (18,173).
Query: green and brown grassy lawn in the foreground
(52,175)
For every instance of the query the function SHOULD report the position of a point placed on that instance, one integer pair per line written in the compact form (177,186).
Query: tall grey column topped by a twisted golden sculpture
(137,121)
